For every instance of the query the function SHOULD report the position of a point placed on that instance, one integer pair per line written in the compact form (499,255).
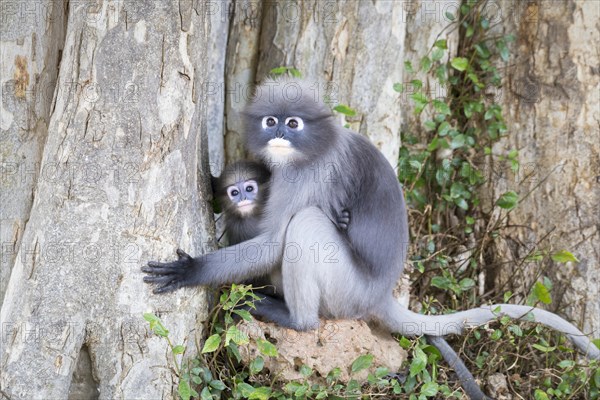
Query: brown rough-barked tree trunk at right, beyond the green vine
(551,98)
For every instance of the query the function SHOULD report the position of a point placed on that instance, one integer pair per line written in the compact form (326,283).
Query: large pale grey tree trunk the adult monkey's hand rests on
(120,188)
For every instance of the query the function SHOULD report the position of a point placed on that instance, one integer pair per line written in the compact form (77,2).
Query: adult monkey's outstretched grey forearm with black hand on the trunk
(255,257)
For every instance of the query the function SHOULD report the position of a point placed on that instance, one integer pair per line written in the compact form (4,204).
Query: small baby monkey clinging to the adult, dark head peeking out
(242,190)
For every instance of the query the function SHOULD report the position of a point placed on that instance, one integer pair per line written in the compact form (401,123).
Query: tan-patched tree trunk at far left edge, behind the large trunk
(32,39)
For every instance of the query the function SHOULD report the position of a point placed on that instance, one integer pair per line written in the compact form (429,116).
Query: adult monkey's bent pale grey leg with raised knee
(319,276)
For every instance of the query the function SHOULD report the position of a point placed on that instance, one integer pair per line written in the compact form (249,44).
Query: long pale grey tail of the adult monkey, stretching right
(401,320)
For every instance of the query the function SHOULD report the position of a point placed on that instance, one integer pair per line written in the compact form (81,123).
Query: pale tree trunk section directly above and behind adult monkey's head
(356,46)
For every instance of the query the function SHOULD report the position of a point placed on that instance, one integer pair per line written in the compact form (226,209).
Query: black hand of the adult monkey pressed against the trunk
(171,275)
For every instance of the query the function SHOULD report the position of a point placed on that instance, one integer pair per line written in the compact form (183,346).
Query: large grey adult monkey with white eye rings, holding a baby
(295,133)
